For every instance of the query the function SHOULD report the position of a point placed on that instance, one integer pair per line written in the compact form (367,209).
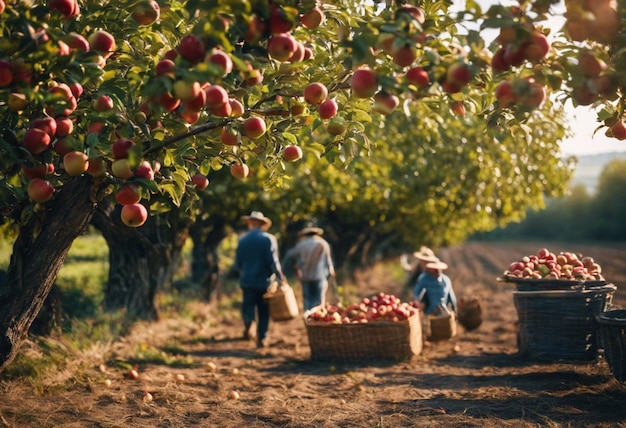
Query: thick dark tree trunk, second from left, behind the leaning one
(142,261)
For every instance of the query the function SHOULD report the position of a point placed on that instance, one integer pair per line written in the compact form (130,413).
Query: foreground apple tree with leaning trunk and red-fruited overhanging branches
(103,100)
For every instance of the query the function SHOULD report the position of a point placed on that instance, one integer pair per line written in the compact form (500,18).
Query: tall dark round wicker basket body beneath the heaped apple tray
(560,324)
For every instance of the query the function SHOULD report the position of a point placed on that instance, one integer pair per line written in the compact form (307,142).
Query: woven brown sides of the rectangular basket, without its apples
(372,341)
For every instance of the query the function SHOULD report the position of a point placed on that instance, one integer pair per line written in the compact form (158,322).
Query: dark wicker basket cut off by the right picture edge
(612,338)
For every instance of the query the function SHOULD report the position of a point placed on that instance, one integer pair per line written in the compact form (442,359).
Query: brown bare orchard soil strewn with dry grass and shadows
(476,379)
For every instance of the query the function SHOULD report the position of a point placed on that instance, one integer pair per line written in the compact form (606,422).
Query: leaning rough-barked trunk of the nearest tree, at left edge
(38,254)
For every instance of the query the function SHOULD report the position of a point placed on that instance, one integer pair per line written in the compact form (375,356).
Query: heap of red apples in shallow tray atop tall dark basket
(547,270)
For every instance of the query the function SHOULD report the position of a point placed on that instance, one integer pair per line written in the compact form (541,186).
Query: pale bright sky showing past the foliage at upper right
(582,120)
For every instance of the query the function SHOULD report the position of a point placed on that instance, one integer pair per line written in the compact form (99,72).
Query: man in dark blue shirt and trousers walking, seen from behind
(257,261)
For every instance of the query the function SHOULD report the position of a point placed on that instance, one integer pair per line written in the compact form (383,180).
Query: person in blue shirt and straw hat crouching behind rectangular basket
(434,289)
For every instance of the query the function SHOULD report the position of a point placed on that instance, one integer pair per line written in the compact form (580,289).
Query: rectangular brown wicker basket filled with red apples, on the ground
(378,328)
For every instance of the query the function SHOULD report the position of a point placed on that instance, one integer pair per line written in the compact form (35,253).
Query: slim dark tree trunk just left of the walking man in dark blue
(206,235)
